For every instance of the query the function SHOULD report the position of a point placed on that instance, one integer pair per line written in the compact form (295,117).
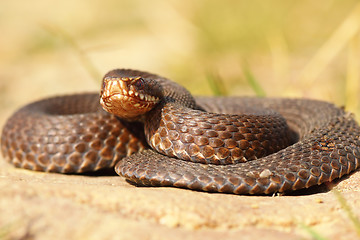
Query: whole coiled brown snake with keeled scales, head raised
(155,133)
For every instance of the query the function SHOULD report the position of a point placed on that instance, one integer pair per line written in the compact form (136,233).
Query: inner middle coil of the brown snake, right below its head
(211,138)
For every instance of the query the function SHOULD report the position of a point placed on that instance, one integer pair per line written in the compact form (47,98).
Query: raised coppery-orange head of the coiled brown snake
(128,96)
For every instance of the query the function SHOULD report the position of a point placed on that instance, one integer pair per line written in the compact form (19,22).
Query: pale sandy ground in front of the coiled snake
(36,205)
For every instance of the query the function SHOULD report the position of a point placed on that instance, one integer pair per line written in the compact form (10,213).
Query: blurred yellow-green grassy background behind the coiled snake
(274,48)
